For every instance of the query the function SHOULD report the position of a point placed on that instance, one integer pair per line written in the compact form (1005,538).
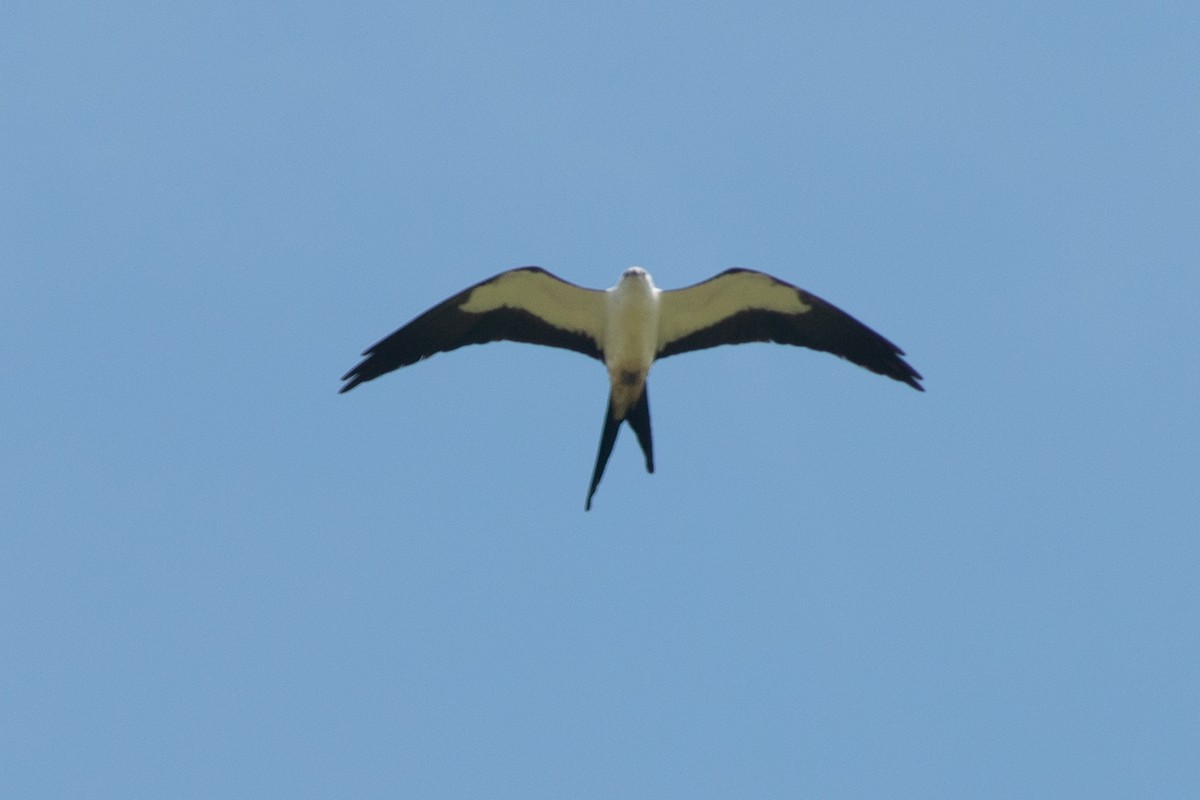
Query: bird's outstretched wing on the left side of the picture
(525,305)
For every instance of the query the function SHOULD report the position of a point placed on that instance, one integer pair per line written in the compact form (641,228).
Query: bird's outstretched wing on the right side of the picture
(741,306)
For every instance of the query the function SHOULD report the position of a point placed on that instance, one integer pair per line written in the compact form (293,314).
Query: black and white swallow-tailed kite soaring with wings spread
(628,328)
